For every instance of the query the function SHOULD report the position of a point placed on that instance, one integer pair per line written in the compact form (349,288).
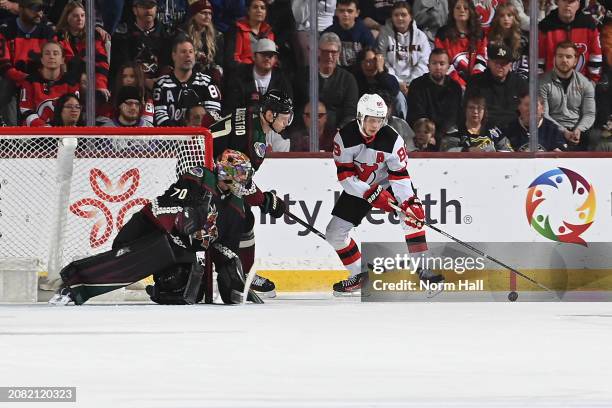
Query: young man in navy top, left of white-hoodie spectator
(353,34)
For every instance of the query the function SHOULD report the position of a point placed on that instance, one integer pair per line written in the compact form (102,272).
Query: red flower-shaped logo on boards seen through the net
(96,209)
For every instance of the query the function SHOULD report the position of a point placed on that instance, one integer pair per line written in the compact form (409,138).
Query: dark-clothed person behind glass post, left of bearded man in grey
(550,138)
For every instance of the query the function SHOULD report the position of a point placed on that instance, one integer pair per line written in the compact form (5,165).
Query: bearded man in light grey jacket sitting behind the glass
(569,97)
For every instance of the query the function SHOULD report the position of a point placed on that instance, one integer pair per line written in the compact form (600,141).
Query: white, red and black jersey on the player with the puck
(382,161)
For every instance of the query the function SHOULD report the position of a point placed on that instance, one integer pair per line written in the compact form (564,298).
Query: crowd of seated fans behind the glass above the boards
(454,72)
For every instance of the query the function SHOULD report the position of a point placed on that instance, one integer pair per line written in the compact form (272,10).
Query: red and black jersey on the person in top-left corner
(19,49)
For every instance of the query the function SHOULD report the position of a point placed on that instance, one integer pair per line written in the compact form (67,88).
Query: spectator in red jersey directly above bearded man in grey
(567,23)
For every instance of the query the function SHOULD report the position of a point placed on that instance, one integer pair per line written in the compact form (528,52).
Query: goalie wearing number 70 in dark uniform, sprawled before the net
(199,215)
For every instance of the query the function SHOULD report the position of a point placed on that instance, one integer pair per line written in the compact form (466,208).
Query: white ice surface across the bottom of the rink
(313,351)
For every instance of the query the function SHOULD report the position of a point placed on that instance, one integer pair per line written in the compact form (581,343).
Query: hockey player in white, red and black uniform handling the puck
(371,162)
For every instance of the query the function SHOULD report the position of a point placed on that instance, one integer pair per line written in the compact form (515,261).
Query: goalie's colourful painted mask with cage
(235,170)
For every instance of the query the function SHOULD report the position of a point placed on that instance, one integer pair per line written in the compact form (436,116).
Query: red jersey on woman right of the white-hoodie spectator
(463,63)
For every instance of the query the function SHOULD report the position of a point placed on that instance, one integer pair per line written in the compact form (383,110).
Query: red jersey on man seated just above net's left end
(38,96)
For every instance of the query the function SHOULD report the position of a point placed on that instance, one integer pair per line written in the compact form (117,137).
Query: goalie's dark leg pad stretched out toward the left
(117,268)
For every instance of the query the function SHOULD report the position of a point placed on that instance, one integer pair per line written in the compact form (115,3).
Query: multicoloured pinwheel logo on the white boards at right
(560,205)
